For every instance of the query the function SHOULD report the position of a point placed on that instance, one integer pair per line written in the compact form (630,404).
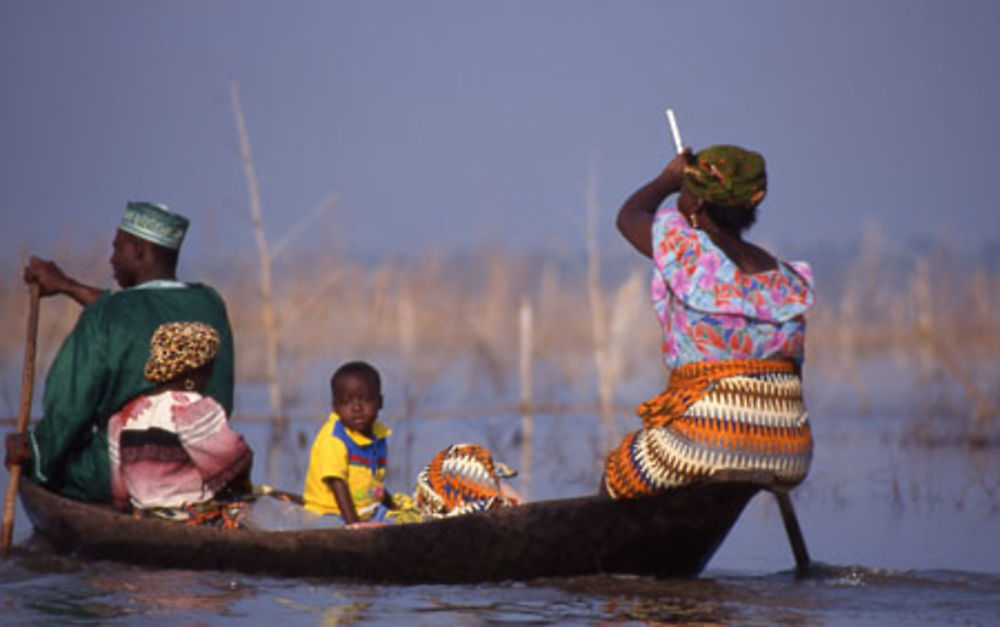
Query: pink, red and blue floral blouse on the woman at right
(711,311)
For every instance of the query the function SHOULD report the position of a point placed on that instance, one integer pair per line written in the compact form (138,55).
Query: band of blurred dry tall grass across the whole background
(450,331)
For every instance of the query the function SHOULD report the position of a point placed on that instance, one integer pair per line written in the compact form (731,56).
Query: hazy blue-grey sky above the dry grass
(450,125)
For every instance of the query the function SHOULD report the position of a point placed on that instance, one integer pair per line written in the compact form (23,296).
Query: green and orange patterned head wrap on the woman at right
(727,176)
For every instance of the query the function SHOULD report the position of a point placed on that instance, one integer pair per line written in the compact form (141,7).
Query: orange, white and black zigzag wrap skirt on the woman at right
(723,415)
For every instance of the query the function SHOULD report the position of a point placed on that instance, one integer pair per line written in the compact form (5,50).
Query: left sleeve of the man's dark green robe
(73,389)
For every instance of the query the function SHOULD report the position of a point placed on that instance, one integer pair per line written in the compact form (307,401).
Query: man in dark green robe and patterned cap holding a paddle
(99,367)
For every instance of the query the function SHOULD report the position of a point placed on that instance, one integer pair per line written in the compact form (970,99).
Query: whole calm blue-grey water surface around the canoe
(901,535)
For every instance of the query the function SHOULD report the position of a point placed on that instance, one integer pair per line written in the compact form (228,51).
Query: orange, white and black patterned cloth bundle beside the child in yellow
(461,479)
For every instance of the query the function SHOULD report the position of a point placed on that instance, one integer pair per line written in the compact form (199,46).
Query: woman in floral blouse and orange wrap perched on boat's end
(733,332)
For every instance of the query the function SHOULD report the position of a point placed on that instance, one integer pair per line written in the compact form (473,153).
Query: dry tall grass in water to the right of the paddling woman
(931,316)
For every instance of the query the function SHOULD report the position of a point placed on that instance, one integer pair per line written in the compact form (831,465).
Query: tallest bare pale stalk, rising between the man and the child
(279,429)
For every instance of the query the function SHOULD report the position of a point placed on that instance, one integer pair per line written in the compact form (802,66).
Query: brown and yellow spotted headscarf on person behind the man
(180,347)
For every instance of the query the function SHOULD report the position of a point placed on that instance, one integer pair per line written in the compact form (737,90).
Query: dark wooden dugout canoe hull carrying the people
(673,534)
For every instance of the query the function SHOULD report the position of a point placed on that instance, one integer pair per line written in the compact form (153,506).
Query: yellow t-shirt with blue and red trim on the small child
(343,453)
